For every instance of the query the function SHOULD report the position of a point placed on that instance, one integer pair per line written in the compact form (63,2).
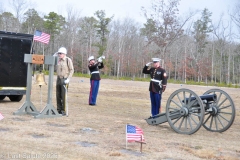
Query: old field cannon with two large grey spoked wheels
(186,112)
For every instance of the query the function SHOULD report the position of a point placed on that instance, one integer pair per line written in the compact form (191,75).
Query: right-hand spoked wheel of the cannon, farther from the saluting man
(220,114)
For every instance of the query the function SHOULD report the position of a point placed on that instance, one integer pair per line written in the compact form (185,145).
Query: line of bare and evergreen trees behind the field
(191,48)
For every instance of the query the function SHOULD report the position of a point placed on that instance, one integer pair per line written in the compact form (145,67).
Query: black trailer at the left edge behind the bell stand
(13,70)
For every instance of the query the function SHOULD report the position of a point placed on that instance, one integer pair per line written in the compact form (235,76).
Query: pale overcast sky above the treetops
(125,8)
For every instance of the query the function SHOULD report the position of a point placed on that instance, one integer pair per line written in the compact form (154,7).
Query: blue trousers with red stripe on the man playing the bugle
(93,91)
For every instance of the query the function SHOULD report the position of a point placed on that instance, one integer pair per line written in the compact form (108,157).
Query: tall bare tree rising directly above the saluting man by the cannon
(163,25)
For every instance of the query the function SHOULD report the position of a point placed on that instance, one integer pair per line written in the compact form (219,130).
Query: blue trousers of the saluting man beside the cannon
(155,103)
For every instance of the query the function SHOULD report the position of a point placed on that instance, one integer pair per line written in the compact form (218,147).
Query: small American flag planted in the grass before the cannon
(134,133)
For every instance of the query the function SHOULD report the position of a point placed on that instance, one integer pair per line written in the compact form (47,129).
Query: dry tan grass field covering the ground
(98,132)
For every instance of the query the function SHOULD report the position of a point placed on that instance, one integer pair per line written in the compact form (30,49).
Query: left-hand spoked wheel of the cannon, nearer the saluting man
(190,114)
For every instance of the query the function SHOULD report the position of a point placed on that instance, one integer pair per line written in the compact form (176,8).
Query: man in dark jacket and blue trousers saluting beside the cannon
(157,85)
